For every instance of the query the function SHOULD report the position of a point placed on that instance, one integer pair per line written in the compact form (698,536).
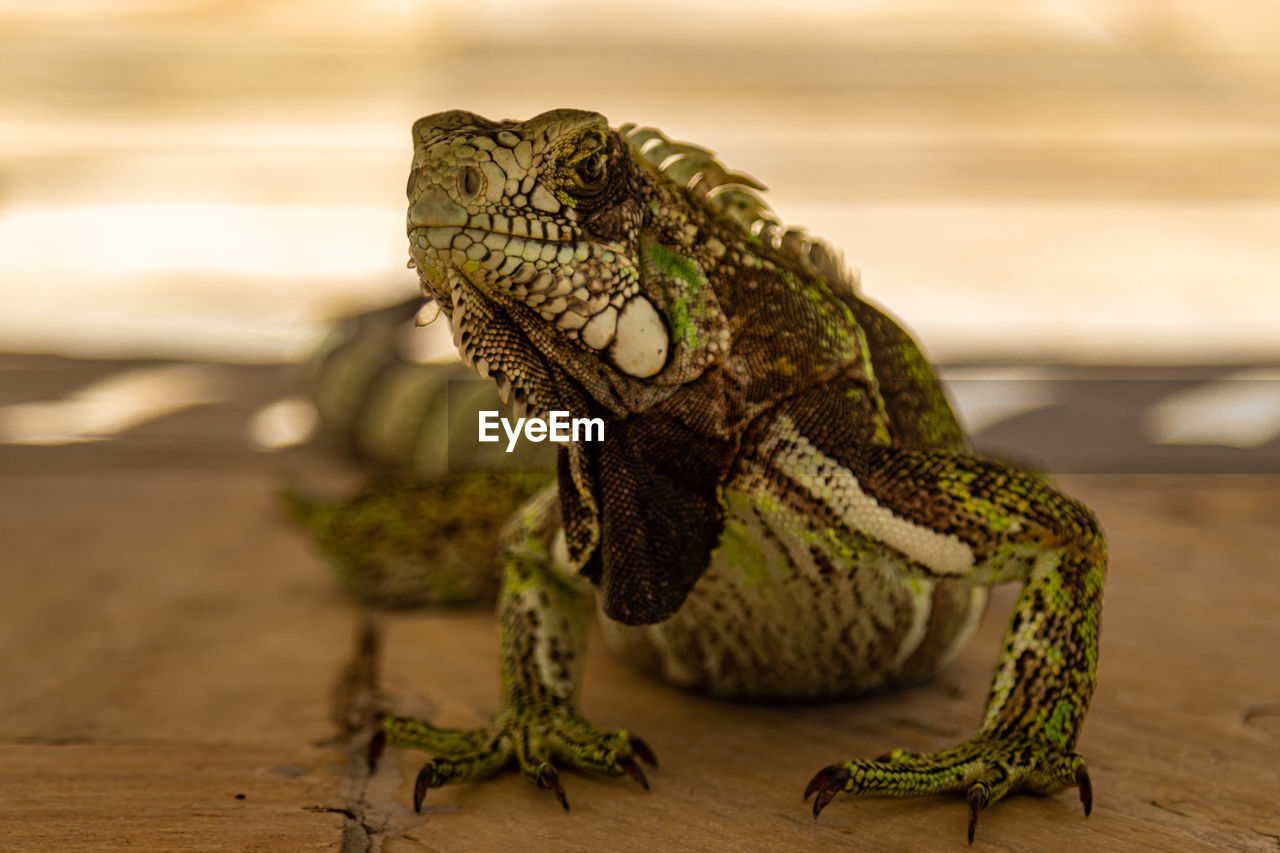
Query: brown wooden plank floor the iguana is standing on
(171,644)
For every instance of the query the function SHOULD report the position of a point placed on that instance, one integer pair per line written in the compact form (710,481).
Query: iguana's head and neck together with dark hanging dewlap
(618,272)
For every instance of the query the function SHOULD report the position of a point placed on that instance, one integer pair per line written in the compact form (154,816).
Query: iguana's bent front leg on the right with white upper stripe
(972,521)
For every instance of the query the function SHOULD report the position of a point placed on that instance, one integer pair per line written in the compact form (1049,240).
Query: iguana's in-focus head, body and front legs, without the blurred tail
(784,504)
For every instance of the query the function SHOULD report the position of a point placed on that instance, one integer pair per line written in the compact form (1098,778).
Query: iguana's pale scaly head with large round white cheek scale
(528,236)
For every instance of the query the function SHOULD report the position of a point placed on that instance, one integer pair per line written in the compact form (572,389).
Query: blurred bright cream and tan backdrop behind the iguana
(1050,183)
